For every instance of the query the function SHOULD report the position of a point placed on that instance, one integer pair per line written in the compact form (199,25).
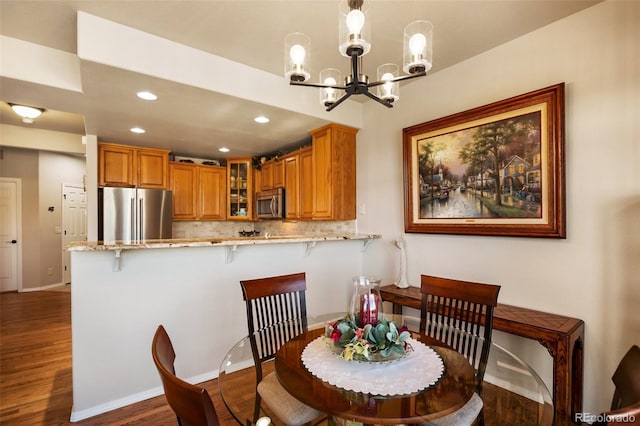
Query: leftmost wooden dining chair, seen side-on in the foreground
(191,404)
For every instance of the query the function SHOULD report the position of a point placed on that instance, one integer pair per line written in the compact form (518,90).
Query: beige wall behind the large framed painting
(594,273)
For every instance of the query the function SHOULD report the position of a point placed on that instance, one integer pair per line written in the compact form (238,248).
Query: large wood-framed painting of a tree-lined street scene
(493,170)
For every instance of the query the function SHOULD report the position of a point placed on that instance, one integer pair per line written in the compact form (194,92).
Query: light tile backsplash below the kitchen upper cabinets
(227,229)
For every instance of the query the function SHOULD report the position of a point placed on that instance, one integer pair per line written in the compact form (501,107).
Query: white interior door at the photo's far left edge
(10,234)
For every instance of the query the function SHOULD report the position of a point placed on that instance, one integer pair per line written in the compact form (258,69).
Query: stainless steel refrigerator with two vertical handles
(132,214)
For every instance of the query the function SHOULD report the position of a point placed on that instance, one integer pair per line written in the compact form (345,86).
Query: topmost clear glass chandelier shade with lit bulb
(353,28)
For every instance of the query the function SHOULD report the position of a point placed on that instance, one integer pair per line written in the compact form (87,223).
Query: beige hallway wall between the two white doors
(42,174)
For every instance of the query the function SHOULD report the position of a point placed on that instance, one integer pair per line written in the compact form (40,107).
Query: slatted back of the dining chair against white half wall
(276,311)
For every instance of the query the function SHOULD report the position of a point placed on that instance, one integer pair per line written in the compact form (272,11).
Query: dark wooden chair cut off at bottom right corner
(626,396)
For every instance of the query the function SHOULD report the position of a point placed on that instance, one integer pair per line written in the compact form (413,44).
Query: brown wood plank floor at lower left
(35,368)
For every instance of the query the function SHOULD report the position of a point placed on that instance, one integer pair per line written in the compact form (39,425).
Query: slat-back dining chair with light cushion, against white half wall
(271,301)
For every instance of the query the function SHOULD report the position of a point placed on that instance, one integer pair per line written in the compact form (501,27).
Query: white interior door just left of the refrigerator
(74,222)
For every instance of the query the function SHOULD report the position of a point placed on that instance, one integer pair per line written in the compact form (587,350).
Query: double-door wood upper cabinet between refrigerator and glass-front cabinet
(199,192)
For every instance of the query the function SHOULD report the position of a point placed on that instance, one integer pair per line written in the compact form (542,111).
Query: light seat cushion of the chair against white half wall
(283,404)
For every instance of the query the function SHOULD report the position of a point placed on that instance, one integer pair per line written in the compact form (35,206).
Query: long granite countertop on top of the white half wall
(214,242)
